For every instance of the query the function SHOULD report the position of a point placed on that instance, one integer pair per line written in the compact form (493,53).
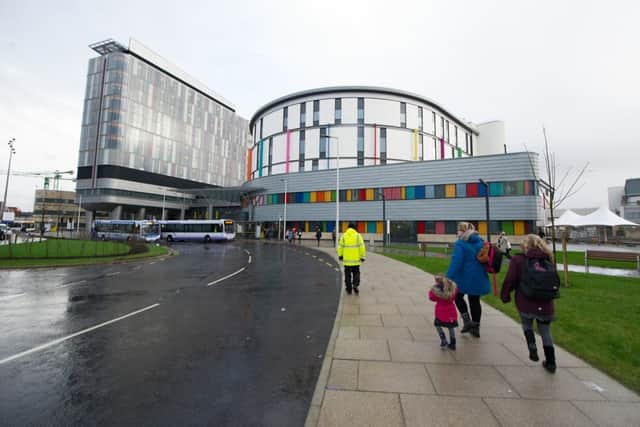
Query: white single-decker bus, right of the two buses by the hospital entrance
(198,230)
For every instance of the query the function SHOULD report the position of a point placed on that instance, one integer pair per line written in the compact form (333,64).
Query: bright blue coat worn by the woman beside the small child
(465,270)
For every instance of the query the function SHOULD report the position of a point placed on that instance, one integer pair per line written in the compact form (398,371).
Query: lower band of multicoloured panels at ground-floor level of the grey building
(511,228)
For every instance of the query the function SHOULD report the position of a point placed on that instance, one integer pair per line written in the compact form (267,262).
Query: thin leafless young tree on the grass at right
(556,192)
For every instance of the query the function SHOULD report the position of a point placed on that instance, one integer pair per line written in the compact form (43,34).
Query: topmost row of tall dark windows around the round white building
(443,131)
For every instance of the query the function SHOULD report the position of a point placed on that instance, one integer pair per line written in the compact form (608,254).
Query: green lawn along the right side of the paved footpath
(597,318)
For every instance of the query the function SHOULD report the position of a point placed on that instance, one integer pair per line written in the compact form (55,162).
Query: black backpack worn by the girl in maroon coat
(539,280)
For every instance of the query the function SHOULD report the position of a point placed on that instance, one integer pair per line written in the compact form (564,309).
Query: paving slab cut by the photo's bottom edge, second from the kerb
(446,411)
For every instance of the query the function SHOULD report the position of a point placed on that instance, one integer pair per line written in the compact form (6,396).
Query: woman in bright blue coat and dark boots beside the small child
(470,277)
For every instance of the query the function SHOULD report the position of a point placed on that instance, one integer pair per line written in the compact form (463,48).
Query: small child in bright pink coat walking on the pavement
(443,292)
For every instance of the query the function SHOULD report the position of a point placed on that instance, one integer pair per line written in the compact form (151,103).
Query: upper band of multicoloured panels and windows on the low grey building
(438,191)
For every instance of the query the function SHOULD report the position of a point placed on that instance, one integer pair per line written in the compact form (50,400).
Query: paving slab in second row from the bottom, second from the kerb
(394,377)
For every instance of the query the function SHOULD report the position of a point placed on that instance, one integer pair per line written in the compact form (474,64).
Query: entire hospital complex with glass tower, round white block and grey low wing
(156,142)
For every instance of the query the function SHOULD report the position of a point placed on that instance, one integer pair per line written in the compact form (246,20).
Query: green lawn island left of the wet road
(70,252)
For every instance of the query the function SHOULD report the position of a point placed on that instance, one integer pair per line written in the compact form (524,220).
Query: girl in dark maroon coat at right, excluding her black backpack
(542,311)
